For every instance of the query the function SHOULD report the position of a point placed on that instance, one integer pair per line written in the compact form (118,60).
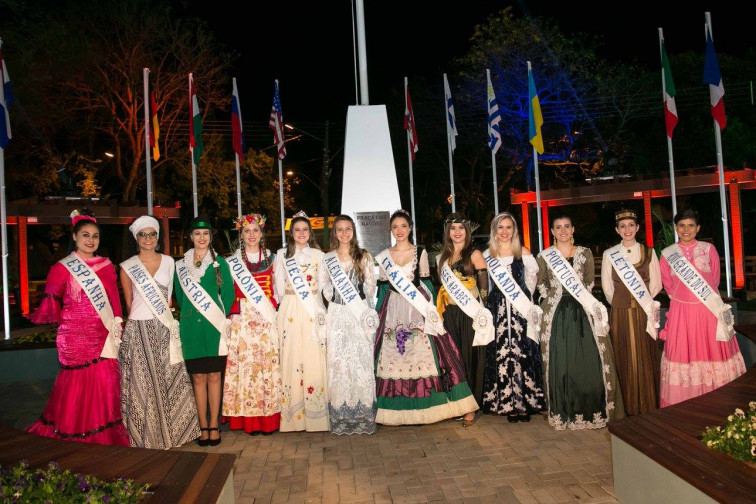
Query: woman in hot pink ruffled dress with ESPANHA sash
(84,405)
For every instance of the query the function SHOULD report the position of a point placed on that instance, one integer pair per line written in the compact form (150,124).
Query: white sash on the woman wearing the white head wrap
(153,296)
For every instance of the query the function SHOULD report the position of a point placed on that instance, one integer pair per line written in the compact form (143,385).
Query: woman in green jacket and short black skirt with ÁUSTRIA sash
(204,291)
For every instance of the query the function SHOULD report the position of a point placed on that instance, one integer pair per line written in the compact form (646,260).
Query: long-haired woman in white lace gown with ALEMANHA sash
(351,382)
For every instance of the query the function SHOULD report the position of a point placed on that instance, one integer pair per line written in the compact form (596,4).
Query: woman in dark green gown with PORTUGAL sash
(582,391)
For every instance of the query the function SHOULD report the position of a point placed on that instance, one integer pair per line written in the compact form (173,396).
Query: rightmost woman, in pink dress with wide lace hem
(693,362)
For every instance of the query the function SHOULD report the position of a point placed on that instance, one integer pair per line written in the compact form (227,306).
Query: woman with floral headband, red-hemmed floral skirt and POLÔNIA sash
(252,385)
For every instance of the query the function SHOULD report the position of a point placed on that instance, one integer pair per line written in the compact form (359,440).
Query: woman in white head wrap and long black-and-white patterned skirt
(157,402)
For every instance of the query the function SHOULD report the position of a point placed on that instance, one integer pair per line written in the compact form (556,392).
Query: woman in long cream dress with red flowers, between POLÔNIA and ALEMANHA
(304,406)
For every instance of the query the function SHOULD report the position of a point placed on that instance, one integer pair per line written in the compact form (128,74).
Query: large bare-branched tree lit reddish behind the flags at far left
(87,71)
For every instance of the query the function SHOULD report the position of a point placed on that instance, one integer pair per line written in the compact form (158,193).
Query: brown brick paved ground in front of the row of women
(492,461)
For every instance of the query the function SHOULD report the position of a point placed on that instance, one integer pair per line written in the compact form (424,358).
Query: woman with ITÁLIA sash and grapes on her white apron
(420,378)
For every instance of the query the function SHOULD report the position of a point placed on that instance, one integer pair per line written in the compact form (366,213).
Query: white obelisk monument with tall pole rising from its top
(370,183)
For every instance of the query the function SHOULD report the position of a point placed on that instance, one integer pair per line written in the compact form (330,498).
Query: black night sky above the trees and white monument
(308,46)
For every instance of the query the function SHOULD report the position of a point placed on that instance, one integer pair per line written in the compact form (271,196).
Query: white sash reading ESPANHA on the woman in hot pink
(95,291)
